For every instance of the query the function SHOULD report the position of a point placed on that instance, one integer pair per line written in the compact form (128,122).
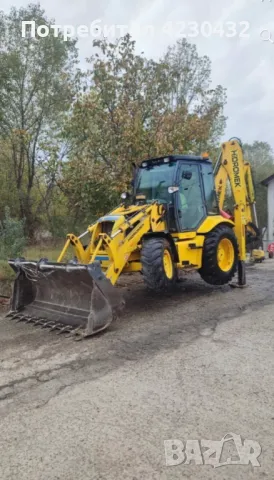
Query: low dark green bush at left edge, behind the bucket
(12,239)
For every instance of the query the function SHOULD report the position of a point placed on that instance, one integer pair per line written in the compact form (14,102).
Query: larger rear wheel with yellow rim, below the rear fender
(220,256)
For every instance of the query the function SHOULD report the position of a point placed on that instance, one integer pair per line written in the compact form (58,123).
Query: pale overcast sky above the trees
(231,33)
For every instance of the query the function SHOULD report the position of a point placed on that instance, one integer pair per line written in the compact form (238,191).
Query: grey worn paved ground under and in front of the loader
(197,364)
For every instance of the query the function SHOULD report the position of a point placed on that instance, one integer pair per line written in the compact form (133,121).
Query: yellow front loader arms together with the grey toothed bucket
(78,297)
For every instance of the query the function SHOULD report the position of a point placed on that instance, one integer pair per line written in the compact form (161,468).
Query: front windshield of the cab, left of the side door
(153,182)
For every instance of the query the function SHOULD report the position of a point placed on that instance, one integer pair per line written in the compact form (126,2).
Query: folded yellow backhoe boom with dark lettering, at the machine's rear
(232,168)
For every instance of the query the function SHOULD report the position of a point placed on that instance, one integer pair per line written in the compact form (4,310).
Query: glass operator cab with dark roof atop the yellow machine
(184,183)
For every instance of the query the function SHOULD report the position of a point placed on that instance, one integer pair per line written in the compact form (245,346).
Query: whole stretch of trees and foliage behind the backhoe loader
(68,139)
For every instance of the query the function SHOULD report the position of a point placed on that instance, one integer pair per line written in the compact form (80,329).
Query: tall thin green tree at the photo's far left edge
(37,79)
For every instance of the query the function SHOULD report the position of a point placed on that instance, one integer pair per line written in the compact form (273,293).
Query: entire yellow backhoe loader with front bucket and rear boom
(173,220)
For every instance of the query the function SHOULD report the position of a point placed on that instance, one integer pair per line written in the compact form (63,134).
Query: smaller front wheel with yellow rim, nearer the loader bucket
(158,268)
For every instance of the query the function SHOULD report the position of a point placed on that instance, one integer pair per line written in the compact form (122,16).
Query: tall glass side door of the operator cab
(191,209)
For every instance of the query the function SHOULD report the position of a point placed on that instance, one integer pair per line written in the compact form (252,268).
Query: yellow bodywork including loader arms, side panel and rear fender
(118,256)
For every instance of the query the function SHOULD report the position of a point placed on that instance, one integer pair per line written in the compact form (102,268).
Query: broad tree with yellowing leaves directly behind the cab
(127,111)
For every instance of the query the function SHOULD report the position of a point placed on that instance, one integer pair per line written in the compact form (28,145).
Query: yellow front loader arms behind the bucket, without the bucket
(115,248)
